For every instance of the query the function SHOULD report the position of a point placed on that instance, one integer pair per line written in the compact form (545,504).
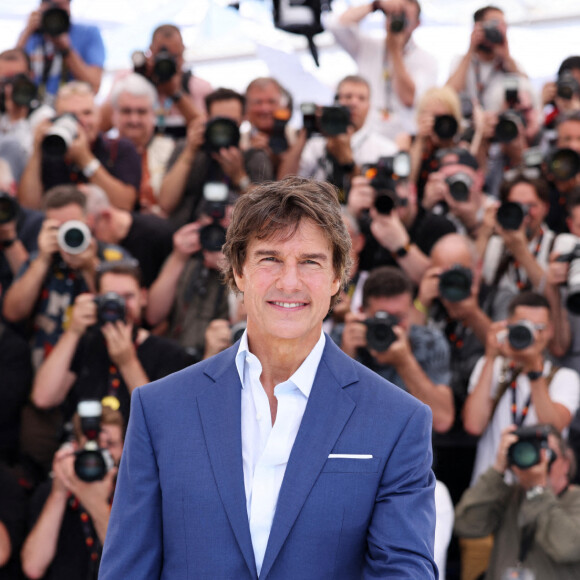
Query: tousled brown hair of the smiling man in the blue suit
(276,209)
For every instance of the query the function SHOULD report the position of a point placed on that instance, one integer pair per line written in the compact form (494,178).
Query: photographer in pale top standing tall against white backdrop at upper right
(488,59)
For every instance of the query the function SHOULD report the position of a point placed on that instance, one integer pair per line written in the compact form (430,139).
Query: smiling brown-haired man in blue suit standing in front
(280,458)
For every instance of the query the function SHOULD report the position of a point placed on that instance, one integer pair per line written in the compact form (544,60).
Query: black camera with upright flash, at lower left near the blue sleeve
(91,462)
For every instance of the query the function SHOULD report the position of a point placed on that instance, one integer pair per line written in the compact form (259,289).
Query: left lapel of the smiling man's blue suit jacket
(220,414)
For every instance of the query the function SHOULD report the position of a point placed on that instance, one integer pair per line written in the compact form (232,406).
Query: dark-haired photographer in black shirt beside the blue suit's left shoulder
(104,351)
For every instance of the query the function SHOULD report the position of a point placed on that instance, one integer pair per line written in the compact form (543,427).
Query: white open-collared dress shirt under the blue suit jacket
(266,447)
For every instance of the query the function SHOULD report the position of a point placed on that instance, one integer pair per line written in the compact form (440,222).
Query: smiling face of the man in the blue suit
(287,286)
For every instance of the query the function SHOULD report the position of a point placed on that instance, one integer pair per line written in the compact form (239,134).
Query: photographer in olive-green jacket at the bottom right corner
(534,520)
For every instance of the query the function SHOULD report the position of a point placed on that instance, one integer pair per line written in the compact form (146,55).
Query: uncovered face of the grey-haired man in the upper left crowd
(135,119)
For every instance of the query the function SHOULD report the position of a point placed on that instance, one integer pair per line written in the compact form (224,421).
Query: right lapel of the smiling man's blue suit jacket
(327,411)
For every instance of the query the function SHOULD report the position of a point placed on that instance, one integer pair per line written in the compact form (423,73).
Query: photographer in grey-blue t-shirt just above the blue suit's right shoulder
(414,358)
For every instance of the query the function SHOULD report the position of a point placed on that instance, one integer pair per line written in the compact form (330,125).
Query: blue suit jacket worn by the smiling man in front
(180,506)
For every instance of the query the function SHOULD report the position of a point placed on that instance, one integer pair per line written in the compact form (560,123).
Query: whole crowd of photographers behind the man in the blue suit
(463,206)
